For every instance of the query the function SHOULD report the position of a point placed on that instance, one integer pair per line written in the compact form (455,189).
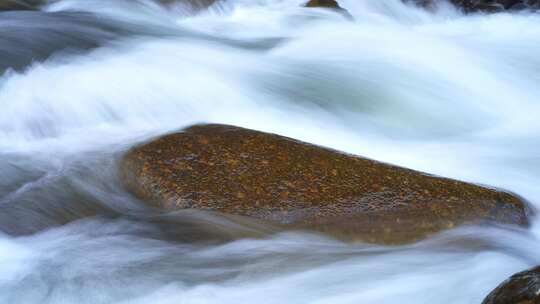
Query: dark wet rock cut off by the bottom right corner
(521,288)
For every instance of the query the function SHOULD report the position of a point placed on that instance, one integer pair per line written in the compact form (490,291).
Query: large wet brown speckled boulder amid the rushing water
(270,177)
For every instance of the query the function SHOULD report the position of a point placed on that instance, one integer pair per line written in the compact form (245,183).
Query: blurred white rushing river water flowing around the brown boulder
(84,80)
